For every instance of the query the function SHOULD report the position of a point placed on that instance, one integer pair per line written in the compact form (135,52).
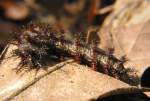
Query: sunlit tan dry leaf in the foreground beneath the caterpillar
(71,82)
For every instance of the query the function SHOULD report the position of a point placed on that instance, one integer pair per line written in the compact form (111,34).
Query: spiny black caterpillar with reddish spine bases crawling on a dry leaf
(37,42)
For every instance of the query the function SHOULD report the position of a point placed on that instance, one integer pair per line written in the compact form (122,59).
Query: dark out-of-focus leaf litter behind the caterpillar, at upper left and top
(76,16)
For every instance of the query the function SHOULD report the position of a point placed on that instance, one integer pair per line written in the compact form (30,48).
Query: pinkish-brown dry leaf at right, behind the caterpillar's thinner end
(133,41)
